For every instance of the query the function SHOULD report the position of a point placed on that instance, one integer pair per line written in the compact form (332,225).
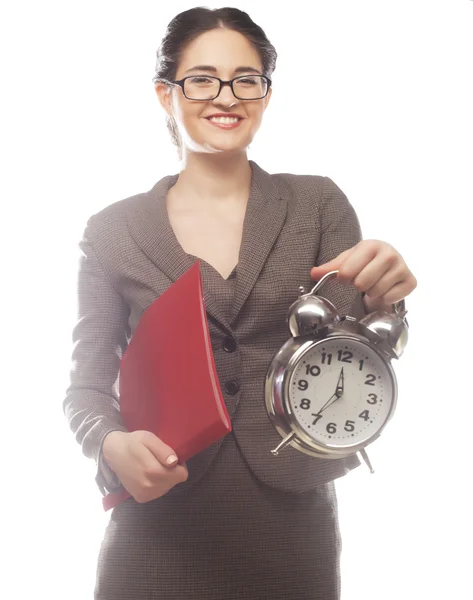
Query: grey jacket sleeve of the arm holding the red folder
(91,405)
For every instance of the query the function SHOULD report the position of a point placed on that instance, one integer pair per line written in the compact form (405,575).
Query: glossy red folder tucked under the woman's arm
(168,382)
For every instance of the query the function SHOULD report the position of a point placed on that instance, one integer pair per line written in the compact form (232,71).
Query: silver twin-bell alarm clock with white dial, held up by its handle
(331,389)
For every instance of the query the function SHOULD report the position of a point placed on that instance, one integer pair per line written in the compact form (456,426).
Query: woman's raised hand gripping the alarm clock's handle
(373,267)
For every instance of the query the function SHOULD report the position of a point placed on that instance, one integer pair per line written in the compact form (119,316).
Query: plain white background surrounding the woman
(377,95)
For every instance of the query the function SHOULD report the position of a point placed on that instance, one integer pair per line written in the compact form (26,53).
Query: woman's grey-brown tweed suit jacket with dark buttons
(130,256)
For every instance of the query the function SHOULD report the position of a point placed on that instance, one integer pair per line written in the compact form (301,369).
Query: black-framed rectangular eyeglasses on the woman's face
(208,87)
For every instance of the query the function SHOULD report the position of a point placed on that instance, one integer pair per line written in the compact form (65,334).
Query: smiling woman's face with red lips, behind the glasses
(224,52)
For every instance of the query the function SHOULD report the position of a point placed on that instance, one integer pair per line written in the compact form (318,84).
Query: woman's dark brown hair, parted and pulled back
(188,25)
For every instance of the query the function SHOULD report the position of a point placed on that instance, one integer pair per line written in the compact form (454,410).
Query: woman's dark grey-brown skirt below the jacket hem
(229,537)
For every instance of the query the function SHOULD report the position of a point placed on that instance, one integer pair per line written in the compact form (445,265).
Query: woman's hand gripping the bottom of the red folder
(147,467)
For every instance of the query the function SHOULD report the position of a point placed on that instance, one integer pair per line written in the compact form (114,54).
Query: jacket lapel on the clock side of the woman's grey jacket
(264,219)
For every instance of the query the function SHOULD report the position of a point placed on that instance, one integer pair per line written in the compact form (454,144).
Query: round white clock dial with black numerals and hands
(341,392)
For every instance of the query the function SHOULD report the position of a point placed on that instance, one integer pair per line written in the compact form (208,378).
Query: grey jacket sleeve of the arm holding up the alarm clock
(340,230)
